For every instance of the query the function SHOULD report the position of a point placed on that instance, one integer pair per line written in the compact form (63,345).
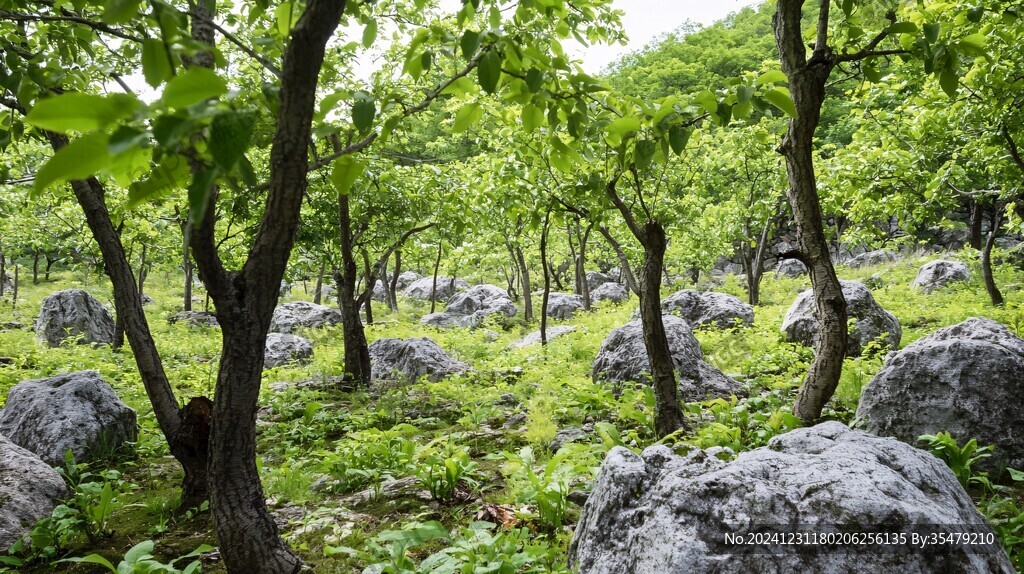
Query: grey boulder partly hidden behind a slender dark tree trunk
(624,358)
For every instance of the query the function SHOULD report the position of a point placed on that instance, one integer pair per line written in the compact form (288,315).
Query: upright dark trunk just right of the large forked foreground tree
(354,336)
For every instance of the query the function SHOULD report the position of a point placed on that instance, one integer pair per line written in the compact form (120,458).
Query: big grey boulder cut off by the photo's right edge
(965,379)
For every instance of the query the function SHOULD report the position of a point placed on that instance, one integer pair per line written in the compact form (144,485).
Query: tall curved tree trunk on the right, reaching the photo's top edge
(807,85)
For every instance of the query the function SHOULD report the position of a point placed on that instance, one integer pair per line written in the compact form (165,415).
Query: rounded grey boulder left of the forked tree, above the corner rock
(78,412)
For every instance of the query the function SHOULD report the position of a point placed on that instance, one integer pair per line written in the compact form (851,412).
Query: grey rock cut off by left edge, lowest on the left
(30,490)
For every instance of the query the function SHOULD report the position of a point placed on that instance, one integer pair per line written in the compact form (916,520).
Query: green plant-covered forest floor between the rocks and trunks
(359,479)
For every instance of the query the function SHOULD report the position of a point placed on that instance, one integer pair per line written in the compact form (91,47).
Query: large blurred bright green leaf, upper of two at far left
(82,113)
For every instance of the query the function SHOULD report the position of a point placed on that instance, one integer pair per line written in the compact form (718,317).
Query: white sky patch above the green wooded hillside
(646,20)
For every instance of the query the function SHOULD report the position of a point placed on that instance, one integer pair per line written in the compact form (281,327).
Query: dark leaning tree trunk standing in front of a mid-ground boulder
(668,410)
